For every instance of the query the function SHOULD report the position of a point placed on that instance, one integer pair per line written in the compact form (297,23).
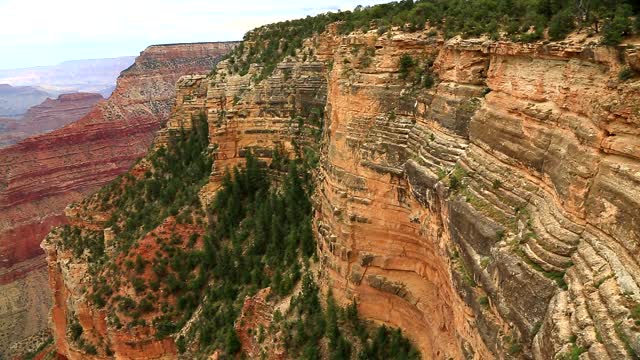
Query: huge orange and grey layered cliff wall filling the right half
(449,212)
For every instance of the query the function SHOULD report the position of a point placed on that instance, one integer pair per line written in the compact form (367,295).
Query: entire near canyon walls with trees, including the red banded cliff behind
(341,187)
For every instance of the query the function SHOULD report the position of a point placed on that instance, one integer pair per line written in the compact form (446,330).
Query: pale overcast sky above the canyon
(46,32)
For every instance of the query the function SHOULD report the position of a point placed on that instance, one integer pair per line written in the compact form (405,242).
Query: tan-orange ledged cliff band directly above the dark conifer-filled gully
(247,115)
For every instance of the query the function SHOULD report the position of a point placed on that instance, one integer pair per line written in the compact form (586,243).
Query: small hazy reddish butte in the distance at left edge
(48,116)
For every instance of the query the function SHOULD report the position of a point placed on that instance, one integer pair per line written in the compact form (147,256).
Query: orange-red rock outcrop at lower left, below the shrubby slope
(69,278)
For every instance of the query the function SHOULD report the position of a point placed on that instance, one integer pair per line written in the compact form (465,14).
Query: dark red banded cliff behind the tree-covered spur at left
(43,174)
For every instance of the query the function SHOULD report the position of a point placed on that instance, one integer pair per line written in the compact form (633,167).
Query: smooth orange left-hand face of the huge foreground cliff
(380,246)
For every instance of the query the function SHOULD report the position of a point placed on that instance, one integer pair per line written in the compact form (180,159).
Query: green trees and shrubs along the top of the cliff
(519,20)
